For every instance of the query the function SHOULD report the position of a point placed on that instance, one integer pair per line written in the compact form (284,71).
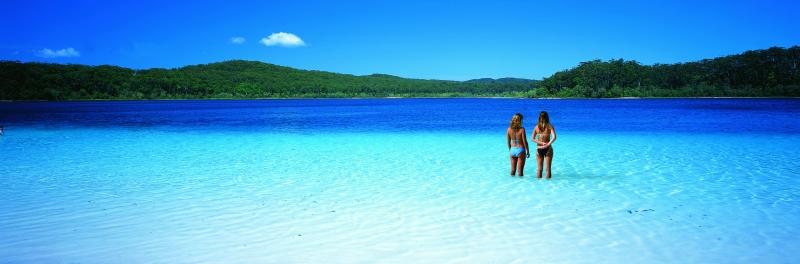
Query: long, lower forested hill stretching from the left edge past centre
(229,79)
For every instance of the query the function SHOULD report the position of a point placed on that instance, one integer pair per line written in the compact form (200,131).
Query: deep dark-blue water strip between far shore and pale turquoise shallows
(469,115)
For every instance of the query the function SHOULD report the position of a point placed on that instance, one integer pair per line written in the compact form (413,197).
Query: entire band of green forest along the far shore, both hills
(770,72)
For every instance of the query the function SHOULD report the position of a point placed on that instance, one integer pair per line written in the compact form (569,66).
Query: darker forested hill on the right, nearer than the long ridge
(769,72)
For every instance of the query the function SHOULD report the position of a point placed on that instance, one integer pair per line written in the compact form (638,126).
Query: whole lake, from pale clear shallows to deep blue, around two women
(398,180)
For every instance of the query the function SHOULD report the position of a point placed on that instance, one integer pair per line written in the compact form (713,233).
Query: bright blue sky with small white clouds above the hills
(454,40)
